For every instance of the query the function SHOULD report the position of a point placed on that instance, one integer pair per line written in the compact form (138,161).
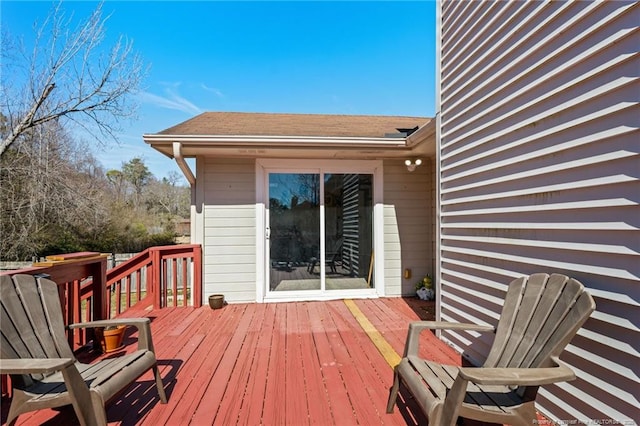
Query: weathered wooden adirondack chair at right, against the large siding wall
(540,316)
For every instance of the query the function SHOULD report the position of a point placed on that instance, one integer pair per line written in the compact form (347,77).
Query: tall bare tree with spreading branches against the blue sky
(69,75)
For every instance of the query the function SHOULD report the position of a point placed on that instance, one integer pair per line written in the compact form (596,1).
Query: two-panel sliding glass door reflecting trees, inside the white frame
(320,232)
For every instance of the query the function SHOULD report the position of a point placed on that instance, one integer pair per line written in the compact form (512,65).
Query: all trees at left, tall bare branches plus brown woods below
(54,195)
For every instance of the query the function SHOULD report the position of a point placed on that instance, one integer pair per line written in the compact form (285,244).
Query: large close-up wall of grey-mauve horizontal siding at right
(538,171)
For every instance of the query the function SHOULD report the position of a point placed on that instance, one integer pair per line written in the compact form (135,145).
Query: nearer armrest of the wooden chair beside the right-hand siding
(517,376)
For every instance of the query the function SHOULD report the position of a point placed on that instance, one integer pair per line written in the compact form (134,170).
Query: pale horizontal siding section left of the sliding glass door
(230,229)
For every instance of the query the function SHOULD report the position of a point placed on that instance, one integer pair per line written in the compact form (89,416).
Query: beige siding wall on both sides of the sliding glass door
(227,188)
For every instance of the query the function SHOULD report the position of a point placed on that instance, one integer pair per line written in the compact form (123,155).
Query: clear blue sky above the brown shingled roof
(363,57)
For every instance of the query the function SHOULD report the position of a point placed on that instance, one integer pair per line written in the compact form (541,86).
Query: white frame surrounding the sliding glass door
(265,166)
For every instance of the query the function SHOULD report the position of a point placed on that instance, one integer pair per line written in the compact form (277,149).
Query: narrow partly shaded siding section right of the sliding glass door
(409,228)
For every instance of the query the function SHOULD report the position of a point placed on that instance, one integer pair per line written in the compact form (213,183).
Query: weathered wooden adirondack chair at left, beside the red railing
(44,371)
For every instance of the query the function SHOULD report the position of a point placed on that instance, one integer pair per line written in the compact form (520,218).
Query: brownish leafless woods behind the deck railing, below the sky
(57,198)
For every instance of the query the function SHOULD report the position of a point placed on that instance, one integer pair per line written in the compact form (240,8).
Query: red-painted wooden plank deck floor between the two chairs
(268,364)
